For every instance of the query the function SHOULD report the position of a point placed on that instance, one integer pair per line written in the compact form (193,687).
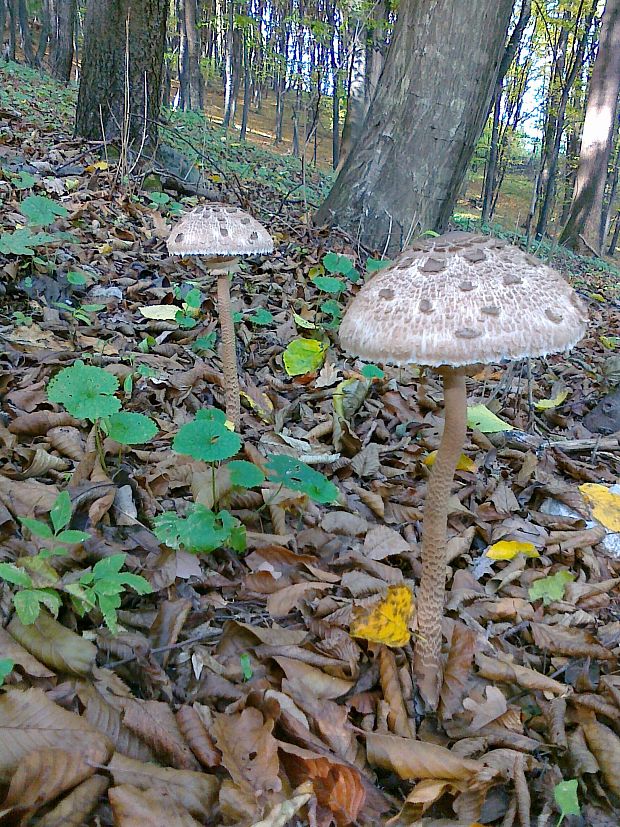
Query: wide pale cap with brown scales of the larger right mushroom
(461,299)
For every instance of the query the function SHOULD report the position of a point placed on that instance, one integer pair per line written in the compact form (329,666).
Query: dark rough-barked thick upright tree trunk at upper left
(110,26)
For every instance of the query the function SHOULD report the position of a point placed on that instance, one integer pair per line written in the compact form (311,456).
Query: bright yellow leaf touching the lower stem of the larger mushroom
(387,621)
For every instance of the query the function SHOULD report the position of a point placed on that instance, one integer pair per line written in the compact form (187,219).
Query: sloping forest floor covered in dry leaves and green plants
(267,683)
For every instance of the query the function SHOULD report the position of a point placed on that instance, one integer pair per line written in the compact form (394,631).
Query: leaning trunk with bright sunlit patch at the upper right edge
(583,229)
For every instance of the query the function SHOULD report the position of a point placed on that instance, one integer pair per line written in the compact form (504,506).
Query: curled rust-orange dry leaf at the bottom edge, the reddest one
(337,787)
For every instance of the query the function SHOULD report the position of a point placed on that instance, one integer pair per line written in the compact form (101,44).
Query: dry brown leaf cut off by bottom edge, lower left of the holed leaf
(133,807)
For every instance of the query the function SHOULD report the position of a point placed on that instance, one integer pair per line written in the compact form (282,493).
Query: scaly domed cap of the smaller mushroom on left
(218,230)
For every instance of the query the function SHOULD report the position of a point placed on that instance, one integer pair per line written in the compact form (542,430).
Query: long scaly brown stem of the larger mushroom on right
(427,661)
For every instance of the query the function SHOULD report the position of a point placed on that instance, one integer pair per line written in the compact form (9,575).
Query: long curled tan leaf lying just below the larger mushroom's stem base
(414,760)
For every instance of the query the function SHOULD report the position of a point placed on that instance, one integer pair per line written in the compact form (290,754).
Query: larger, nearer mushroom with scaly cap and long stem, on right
(450,303)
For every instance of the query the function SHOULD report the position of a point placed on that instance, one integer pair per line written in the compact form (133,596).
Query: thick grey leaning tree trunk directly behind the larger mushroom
(432,98)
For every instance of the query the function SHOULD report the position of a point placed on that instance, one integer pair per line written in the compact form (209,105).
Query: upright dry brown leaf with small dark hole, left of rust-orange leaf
(249,750)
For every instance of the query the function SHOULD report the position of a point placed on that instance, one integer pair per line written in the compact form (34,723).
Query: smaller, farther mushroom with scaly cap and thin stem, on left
(222,233)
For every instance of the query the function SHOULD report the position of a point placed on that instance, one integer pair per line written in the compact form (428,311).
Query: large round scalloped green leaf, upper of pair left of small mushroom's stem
(87,392)
